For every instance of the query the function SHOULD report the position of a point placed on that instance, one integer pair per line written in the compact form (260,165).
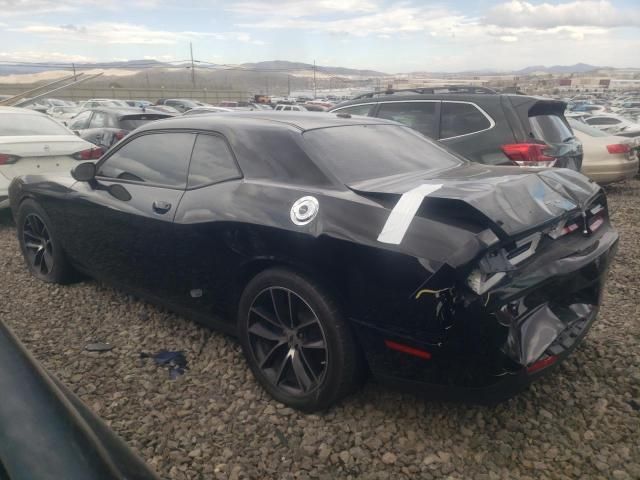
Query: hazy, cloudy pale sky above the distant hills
(391,36)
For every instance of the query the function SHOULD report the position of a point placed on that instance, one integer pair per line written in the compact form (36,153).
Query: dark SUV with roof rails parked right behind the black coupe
(480,124)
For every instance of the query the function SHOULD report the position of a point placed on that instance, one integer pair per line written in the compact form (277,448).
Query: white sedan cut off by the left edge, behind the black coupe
(33,143)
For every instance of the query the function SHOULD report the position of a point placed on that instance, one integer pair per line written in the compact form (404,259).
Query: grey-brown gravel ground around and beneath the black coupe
(215,422)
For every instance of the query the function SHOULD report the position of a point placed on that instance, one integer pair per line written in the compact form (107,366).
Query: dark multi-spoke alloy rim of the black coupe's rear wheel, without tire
(287,339)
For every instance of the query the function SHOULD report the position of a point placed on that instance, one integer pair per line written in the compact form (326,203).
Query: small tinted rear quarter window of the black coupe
(211,162)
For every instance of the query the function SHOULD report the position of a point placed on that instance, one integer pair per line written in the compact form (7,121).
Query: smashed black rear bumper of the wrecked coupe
(502,341)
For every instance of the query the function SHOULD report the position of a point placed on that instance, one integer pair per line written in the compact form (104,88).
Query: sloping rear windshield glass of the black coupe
(362,152)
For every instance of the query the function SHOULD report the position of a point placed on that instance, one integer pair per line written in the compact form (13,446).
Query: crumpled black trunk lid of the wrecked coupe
(512,199)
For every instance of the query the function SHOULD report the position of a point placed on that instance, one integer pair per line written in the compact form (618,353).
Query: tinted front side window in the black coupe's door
(159,158)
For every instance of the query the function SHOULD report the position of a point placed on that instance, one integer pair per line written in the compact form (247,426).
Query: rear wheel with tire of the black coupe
(298,345)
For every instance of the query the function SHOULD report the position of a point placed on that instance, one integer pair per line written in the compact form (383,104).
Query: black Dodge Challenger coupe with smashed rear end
(332,246)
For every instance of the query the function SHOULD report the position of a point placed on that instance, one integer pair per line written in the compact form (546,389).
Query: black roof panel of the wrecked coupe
(298,120)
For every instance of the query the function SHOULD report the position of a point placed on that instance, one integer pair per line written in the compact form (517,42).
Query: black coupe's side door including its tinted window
(120,227)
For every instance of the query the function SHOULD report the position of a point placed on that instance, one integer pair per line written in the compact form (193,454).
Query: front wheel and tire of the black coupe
(42,252)
